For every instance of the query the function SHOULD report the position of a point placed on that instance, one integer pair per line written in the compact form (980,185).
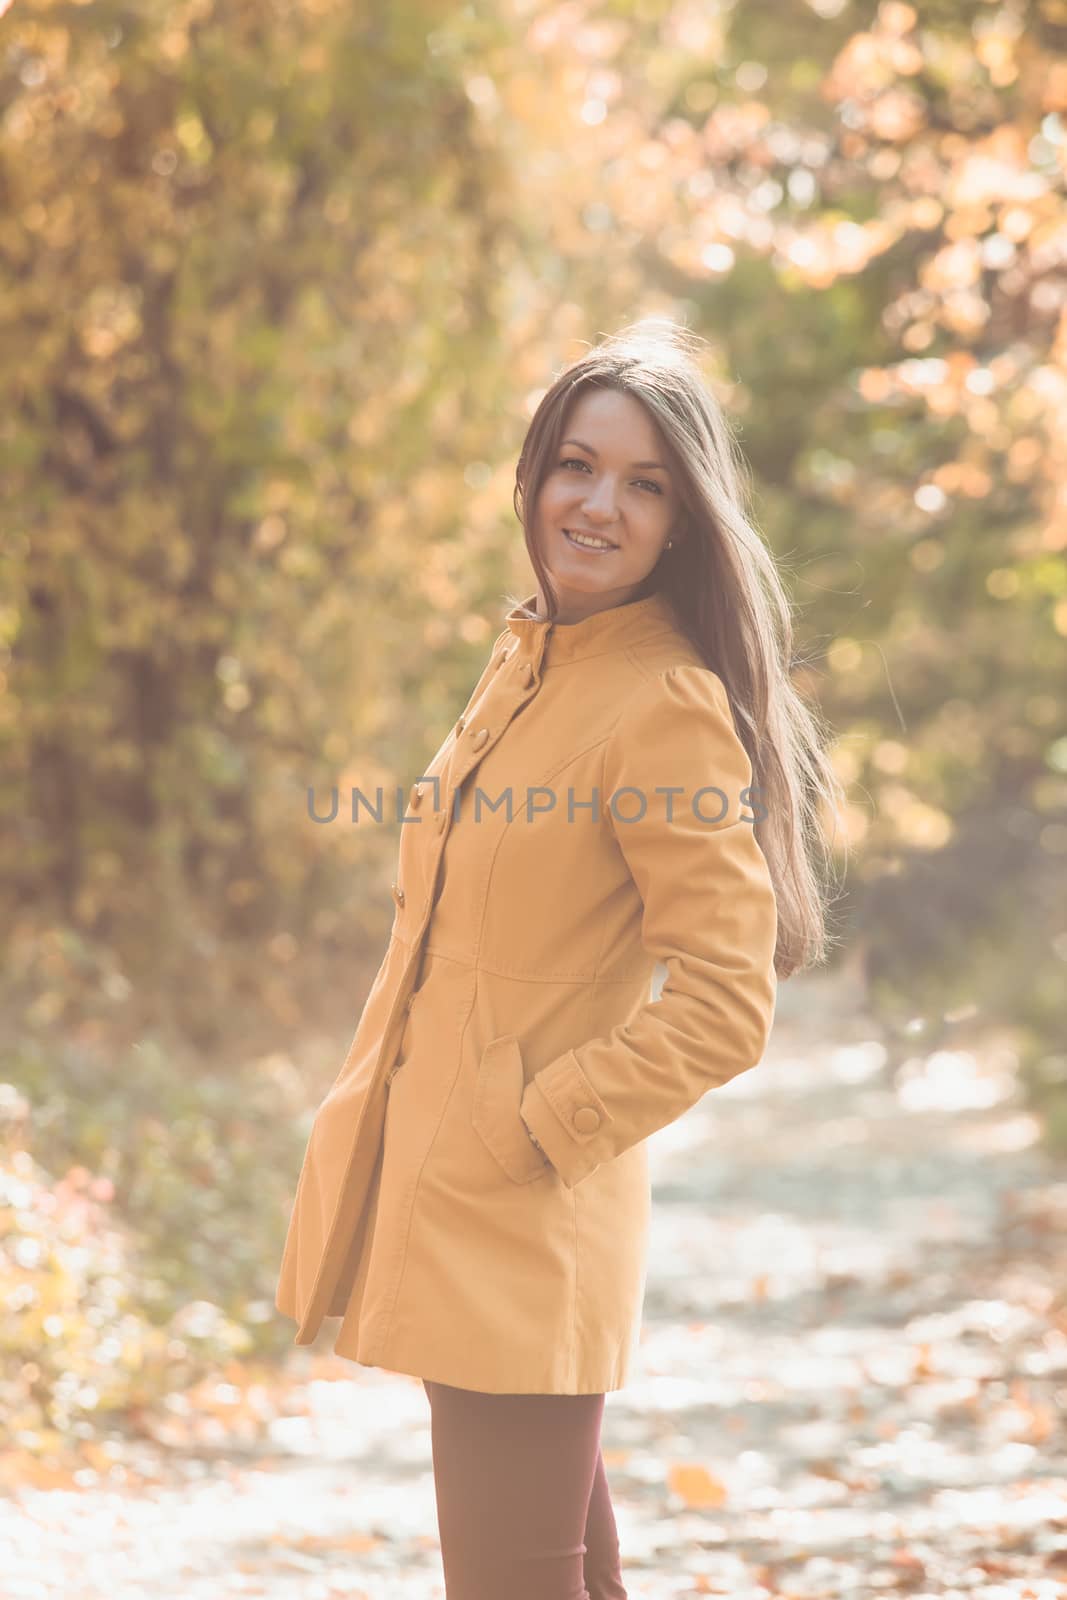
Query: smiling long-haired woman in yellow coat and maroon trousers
(633,782)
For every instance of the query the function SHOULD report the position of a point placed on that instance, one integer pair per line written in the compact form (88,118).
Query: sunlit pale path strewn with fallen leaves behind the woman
(852,1383)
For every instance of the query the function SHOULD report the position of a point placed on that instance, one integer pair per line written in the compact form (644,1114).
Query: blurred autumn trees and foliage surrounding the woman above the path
(282,286)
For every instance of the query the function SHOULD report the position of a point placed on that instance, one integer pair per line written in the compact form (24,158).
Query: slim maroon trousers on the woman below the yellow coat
(524,1510)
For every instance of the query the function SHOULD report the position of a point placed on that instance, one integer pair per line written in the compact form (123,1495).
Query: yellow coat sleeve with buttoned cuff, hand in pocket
(709,914)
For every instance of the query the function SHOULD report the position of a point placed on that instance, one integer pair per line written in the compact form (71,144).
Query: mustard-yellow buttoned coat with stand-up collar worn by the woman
(514,999)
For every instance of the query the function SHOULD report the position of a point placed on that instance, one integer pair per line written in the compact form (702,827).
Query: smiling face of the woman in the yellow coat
(610,481)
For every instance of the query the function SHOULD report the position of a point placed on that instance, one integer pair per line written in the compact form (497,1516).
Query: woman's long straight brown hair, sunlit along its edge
(724,585)
